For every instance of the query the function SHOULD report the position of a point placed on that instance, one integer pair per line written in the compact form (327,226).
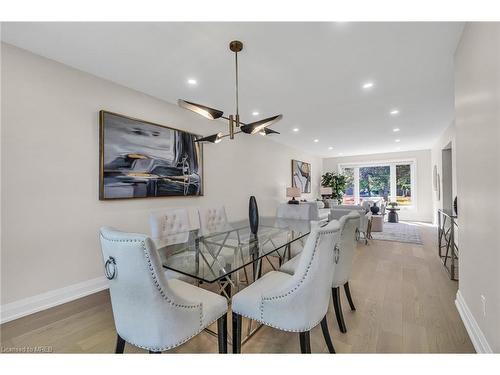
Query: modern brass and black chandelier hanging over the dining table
(261,126)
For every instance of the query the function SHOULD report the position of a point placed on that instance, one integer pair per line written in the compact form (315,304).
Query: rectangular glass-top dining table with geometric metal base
(232,256)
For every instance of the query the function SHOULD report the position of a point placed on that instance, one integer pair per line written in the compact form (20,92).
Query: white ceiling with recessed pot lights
(310,72)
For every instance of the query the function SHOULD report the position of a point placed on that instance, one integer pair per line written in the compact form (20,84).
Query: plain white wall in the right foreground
(477,104)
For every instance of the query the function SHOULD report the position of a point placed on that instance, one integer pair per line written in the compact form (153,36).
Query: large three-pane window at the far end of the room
(392,181)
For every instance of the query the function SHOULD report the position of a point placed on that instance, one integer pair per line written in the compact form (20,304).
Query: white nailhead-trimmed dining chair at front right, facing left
(297,302)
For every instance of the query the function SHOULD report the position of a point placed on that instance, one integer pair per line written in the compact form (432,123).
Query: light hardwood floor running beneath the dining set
(403,296)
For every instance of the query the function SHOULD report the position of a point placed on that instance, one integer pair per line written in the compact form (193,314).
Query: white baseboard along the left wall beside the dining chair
(31,305)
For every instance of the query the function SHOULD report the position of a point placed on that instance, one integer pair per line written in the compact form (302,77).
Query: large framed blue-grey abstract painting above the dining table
(140,159)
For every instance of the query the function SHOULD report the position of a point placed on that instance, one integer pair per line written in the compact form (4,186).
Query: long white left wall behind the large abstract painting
(50,157)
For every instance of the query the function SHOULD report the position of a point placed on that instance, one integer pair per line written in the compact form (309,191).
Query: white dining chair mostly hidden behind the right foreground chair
(348,225)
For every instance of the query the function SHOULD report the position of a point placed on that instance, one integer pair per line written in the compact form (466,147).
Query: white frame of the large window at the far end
(391,163)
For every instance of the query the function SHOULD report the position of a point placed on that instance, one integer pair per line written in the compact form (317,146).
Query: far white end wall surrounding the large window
(423,211)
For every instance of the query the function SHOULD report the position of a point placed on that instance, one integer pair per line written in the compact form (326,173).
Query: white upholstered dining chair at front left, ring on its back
(150,311)
